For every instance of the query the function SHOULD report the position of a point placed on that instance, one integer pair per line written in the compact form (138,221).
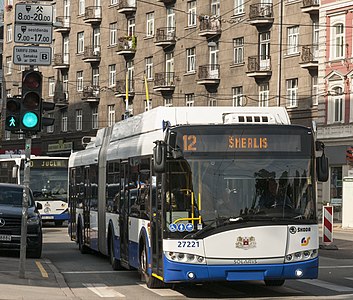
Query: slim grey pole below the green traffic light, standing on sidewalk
(25,200)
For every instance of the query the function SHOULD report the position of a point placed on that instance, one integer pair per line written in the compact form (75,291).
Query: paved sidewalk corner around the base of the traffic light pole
(42,280)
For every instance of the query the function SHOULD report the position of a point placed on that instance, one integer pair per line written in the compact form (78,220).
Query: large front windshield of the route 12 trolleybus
(251,189)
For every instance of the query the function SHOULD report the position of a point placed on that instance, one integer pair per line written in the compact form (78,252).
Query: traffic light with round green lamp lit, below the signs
(31,101)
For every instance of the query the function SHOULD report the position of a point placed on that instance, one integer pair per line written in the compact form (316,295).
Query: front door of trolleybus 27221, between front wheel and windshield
(156,227)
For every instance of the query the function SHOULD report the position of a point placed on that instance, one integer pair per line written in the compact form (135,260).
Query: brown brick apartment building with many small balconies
(109,56)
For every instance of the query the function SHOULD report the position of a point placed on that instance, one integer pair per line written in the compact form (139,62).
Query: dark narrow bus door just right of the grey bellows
(124,214)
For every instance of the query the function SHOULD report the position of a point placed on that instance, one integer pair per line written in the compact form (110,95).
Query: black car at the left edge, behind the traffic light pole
(11,196)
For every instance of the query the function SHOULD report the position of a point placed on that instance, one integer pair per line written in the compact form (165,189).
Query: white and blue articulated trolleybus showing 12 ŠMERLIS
(194,194)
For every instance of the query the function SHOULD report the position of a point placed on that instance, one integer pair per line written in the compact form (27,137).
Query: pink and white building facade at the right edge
(336,83)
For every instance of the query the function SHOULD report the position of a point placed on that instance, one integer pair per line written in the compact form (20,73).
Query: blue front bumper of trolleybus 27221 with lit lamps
(181,272)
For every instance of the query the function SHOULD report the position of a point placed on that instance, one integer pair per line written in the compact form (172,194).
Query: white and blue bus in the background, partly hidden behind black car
(48,181)
